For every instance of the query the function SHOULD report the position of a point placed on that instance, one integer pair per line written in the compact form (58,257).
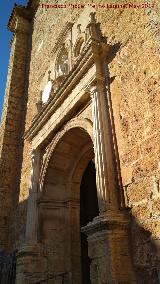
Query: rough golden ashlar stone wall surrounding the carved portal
(134,75)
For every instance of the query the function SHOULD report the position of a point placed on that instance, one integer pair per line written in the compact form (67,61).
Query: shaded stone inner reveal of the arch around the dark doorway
(60,201)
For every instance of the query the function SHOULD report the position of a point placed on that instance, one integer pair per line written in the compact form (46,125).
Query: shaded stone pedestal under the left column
(31,265)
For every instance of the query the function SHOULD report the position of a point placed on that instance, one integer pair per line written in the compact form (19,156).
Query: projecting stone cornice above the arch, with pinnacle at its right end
(95,50)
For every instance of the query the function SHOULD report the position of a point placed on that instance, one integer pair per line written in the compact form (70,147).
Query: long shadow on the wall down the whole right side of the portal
(144,250)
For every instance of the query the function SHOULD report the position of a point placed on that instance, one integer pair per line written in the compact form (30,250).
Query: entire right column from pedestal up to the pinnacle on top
(108,233)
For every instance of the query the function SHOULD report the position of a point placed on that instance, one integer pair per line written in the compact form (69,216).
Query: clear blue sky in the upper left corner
(6,7)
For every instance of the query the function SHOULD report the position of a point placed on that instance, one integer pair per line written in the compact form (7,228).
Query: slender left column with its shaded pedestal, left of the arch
(30,261)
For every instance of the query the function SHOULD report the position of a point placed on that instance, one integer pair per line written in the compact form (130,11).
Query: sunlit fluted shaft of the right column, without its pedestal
(107,187)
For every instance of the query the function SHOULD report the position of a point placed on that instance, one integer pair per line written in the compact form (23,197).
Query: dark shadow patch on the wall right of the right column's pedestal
(145,254)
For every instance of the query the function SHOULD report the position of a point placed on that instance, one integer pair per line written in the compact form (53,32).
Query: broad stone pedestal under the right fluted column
(108,248)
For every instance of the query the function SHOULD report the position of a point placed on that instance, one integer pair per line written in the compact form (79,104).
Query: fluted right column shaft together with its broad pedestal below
(108,234)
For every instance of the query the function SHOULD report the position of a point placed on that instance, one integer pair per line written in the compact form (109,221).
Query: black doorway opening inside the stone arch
(88,210)
